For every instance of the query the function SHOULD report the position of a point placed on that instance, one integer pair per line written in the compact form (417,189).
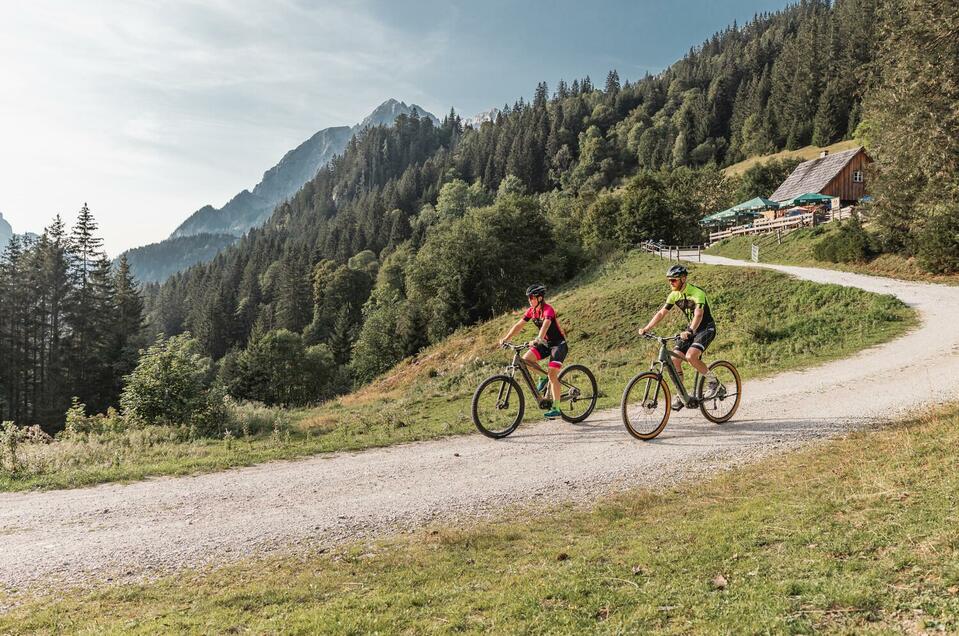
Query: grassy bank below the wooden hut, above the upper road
(797,249)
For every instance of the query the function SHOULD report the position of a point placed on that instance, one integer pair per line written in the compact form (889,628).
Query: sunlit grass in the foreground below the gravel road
(857,535)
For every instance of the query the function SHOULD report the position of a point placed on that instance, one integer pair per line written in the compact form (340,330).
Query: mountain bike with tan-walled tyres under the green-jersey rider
(647,401)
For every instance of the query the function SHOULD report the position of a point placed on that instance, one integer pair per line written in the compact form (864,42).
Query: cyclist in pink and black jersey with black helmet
(550,342)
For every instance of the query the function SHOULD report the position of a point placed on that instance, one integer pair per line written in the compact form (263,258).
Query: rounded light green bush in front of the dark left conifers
(170,383)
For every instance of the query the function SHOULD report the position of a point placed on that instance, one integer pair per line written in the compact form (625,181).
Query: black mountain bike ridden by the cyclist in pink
(499,404)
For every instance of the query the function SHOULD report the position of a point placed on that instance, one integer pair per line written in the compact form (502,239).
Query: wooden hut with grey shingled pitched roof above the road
(840,175)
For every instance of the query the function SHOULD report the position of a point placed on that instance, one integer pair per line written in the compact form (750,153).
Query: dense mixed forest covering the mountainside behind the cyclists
(418,229)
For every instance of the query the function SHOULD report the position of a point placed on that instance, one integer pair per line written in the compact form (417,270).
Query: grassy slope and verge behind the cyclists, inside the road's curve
(767,323)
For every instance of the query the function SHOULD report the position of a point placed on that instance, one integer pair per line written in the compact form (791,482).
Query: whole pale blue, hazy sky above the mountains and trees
(149,110)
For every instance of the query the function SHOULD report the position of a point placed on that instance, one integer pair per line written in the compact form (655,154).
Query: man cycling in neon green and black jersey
(697,336)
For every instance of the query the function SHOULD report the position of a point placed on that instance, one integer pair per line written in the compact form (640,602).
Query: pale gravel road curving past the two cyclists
(116,532)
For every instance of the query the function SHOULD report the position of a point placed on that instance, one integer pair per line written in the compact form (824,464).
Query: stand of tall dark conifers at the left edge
(71,323)
